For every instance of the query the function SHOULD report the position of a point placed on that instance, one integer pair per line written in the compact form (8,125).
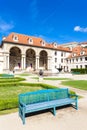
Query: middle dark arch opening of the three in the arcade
(30,59)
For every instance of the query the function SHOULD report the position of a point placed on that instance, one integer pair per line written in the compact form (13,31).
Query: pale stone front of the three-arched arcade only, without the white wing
(13,60)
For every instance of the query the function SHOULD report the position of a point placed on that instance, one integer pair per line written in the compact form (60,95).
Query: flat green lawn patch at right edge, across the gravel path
(81,84)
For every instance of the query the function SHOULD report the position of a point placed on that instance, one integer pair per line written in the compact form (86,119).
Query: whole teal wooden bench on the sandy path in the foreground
(45,99)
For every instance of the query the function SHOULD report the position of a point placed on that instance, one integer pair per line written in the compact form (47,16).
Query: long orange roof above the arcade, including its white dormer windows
(33,41)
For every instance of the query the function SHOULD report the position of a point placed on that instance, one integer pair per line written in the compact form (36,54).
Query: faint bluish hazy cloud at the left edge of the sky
(5,27)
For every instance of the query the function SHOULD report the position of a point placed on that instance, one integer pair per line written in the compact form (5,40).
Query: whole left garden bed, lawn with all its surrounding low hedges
(11,88)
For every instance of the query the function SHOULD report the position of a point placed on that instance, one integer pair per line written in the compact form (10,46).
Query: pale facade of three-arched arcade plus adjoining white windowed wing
(51,62)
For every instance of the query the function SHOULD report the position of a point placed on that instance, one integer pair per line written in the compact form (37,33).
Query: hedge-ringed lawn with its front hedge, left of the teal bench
(9,95)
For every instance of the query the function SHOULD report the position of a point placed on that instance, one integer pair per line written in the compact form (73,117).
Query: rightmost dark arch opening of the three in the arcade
(43,59)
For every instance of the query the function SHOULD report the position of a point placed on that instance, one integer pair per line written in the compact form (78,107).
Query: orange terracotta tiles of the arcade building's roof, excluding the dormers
(23,39)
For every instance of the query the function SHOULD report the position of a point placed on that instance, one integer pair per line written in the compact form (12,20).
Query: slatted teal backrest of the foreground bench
(43,95)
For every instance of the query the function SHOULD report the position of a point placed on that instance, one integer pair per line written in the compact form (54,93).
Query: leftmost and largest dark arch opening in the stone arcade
(15,58)
